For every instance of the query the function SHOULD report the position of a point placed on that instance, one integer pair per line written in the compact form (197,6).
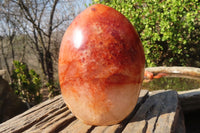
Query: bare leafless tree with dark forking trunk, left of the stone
(37,20)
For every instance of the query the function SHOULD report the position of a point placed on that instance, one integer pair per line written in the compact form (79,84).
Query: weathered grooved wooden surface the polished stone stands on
(155,112)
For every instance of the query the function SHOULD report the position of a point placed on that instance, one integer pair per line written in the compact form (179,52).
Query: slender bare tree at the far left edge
(8,34)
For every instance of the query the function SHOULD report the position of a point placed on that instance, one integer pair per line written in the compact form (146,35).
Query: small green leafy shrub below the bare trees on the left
(26,84)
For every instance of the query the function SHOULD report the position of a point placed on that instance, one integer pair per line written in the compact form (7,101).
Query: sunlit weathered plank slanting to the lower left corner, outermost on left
(34,115)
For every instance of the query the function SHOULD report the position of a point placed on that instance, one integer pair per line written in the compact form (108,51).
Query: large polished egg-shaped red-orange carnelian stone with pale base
(101,66)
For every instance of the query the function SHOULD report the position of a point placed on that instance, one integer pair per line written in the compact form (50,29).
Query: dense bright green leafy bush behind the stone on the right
(169,29)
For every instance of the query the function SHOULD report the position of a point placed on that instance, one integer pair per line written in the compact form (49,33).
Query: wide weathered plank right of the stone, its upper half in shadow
(157,114)
